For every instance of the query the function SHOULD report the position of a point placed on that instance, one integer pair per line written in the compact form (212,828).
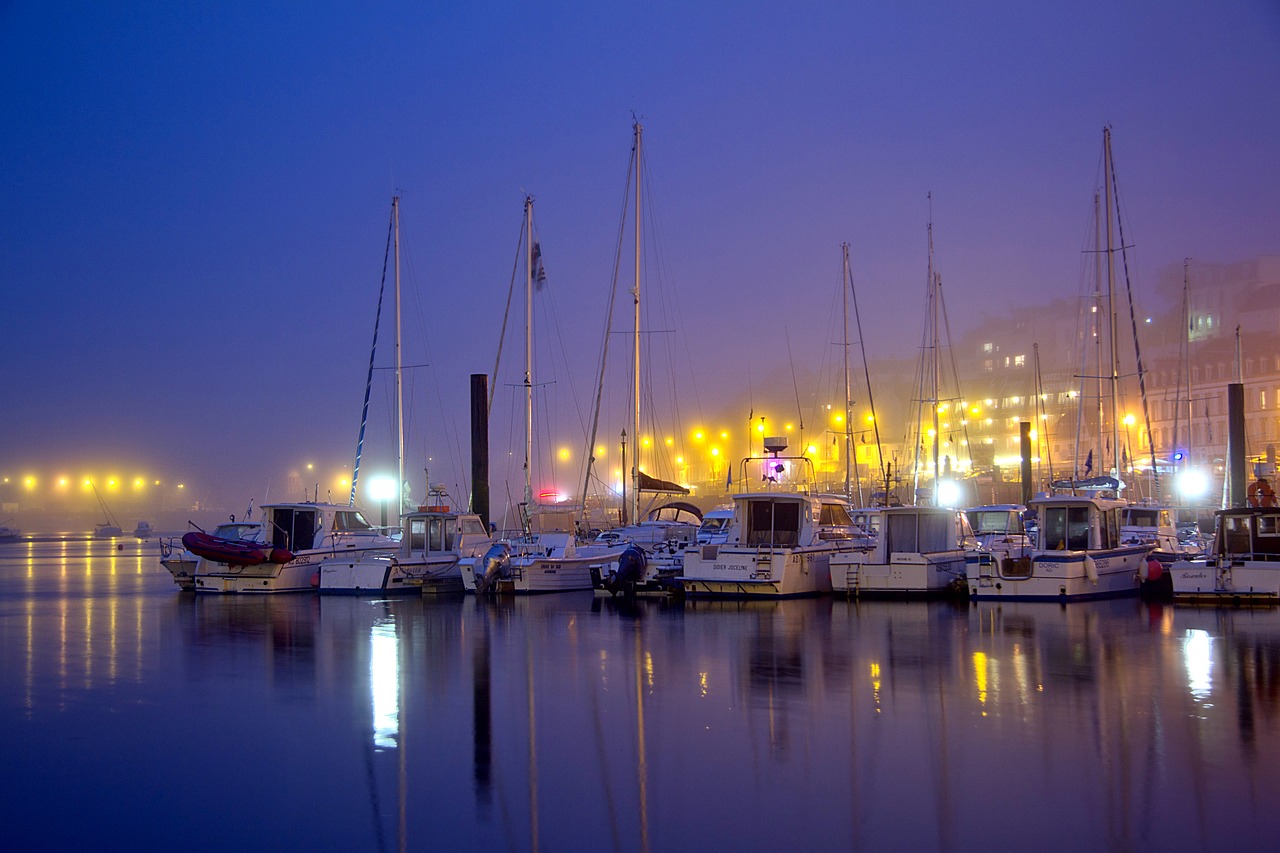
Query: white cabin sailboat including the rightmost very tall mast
(1080,553)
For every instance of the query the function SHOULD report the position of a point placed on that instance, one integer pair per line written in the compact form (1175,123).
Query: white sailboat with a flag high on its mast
(545,556)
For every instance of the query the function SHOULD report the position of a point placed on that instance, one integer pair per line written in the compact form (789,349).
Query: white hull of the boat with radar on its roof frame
(719,572)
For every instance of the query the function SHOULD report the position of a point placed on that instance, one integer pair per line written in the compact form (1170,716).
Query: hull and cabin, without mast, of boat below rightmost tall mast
(1080,555)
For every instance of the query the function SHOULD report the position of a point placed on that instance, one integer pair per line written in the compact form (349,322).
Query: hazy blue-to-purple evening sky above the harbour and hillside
(195,200)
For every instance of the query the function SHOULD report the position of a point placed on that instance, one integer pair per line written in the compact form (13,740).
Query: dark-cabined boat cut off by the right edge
(1242,567)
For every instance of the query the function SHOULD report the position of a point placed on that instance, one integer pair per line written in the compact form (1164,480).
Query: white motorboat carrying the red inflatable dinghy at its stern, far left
(312,535)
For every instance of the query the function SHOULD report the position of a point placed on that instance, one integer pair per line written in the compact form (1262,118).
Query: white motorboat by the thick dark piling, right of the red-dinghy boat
(432,544)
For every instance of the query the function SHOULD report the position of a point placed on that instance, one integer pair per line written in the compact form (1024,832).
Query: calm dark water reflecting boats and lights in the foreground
(138,717)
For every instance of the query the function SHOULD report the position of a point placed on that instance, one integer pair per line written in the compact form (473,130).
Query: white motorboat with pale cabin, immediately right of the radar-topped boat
(920,553)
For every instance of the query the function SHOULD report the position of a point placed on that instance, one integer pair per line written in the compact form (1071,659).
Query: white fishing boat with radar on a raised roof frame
(780,542)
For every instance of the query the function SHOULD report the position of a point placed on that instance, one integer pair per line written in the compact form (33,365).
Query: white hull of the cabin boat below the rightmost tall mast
(1060,577)
